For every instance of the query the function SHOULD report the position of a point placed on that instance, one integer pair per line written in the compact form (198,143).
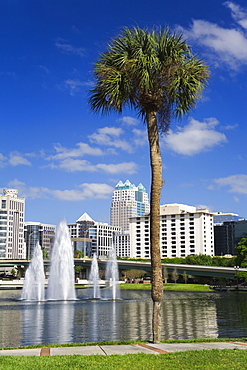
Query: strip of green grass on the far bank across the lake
(171,286)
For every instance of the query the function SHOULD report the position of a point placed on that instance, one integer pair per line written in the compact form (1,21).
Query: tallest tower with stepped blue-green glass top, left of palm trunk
(128,201)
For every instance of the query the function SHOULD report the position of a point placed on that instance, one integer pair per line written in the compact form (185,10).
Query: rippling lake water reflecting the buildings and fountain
(184,315)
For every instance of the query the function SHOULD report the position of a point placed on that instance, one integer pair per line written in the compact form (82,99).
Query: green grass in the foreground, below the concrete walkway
(188,360)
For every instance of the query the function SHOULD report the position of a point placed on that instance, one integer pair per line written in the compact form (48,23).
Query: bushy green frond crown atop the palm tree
(148,70)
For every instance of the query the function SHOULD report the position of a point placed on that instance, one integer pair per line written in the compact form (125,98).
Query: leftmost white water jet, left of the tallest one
(34,283)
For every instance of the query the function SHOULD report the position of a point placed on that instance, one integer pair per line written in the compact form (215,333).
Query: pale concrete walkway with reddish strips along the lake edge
(123,349)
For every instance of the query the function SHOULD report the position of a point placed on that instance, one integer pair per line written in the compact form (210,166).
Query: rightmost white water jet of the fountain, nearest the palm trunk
(112,274)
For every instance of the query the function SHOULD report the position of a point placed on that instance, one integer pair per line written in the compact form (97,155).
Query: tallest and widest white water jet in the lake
(61,278)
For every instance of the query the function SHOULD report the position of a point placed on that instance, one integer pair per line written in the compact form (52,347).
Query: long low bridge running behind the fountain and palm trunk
(214,271)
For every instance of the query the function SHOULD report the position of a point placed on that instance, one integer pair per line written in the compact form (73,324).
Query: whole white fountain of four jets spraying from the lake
(61,279)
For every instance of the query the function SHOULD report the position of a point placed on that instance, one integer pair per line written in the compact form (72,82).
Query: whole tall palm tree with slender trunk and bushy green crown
(155,73)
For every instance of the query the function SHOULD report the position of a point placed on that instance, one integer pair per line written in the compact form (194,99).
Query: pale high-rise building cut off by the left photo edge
(12,208)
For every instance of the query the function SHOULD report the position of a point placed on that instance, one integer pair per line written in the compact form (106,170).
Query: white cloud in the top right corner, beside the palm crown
(229,45)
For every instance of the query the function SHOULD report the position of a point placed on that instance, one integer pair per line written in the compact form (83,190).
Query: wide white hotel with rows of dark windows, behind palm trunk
(184,230)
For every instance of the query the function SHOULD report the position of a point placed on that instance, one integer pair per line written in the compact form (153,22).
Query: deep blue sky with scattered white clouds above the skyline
(64,159)
